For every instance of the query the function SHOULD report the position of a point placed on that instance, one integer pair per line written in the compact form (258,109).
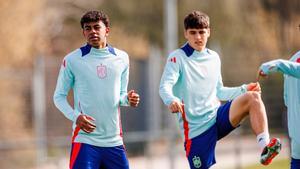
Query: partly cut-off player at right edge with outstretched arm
(291,70)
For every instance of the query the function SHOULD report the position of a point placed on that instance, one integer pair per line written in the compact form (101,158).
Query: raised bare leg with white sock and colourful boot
(251,104)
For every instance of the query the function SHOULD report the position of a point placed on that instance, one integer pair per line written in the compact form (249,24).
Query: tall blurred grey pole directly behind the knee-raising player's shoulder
(171,40)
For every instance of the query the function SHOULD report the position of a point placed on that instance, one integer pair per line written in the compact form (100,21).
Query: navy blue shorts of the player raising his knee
(202,150)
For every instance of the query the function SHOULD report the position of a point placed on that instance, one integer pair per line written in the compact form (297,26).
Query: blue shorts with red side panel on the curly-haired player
(85,156)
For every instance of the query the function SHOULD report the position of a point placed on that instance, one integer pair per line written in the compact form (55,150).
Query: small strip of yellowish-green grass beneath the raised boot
(278,164)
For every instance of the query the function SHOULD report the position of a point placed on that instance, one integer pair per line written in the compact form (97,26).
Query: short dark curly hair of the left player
(94,16)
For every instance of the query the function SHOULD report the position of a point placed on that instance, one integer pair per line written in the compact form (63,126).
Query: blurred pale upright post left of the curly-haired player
(39,108)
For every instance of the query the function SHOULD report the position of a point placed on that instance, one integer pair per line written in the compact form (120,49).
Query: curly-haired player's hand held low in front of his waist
(85,123)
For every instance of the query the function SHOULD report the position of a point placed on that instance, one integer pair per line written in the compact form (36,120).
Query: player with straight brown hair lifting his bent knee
(191,86)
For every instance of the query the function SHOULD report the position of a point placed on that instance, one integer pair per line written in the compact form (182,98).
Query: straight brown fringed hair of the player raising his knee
(196,19)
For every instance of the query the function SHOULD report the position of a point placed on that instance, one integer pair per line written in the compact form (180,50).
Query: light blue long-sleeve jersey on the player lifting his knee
(194,78)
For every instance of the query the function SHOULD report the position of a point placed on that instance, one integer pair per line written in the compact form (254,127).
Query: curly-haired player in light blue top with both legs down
(98,74)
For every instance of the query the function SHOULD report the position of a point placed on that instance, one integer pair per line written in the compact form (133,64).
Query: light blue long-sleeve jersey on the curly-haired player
(99,79)
